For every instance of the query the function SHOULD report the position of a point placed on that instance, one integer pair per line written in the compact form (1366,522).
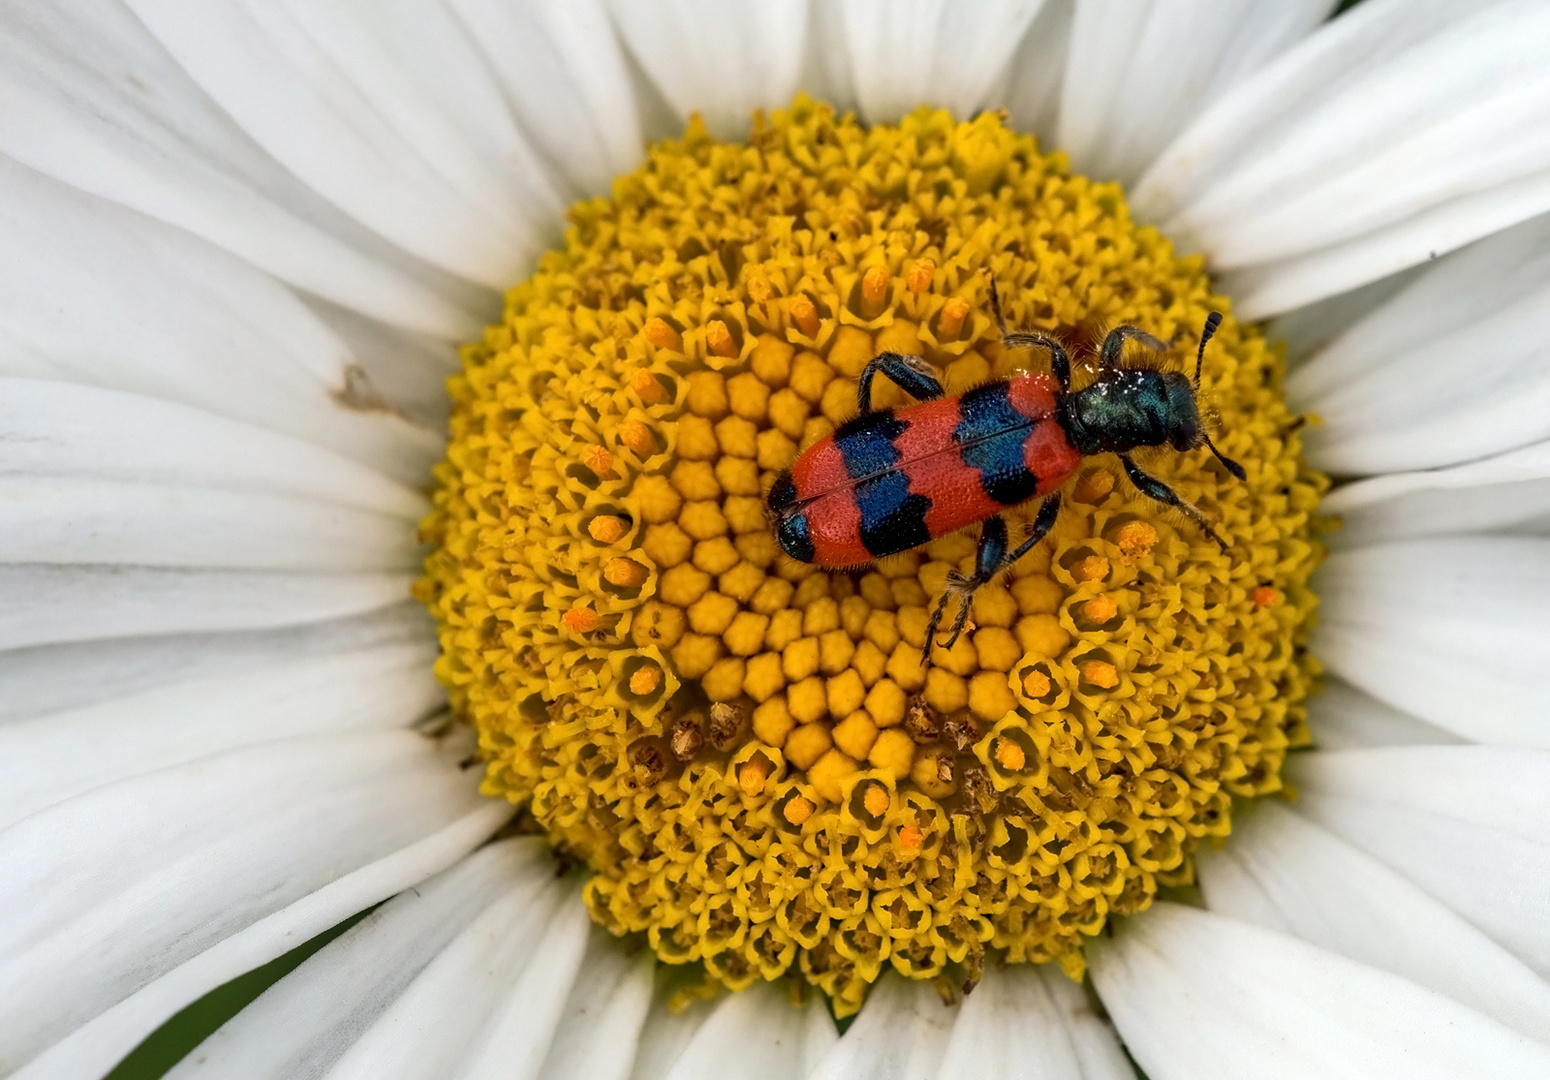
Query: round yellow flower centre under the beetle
(748,751)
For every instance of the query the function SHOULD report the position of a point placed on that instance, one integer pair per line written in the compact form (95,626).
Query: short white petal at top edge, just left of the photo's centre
(718,58)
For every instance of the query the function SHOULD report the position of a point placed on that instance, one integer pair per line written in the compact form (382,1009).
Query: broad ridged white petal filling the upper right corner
(1390,137)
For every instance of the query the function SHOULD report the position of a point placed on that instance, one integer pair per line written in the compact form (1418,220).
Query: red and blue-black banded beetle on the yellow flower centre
(894,480)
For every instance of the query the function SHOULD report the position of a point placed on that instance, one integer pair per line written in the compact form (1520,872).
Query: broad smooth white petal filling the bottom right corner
(1199,997)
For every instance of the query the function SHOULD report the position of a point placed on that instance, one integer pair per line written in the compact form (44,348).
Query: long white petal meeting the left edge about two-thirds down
(50,758)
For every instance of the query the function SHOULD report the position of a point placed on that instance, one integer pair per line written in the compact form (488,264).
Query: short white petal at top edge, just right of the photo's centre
(931,53)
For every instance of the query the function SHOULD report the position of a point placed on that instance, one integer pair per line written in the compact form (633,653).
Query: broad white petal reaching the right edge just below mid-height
(1453,630)
